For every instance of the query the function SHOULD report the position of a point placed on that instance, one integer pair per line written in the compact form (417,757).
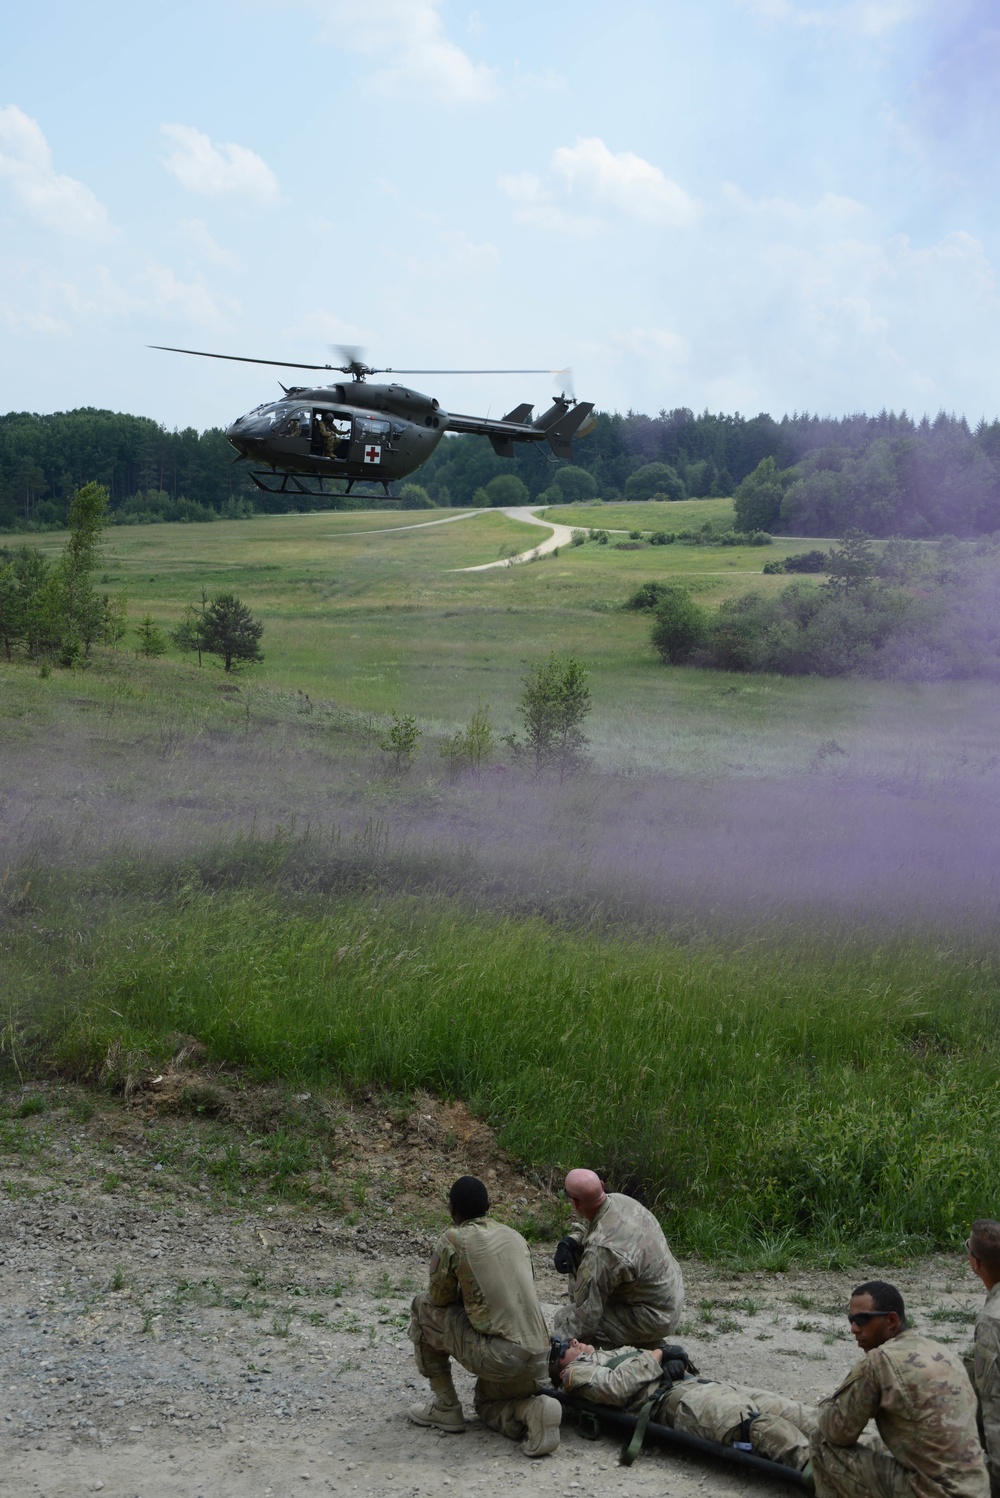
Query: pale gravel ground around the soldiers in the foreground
(164,1343)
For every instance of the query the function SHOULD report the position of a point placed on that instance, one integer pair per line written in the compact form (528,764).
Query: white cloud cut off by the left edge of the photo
(56,203)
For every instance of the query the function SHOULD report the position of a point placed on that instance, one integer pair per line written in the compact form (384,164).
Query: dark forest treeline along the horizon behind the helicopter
(802,476)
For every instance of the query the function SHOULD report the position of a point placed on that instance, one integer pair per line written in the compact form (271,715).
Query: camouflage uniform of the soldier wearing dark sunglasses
(926,1410)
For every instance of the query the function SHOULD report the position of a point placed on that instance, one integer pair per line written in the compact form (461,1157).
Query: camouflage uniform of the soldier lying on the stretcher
(776,1428)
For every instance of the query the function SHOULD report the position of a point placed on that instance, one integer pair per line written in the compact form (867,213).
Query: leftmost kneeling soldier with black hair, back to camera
(481,1309)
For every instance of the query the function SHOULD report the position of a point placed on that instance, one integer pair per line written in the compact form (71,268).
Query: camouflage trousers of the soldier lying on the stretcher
(718,1413)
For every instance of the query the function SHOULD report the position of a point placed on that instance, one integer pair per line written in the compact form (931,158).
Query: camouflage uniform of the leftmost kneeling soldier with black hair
(481,1309)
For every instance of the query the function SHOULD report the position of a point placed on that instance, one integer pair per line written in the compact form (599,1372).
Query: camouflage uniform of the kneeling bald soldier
(628,1291)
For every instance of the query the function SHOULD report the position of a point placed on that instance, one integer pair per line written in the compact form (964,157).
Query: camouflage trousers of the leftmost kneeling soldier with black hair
(505,1373)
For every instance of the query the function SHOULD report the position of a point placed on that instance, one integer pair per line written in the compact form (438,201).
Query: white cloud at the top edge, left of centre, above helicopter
(409,38)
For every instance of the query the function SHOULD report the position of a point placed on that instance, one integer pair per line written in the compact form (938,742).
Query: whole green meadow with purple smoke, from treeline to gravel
(745,964)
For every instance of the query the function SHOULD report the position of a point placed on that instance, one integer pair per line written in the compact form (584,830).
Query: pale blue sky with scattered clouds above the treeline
(736,206)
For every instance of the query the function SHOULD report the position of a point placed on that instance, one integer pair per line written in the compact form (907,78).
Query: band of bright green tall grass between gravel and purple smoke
(782,1096)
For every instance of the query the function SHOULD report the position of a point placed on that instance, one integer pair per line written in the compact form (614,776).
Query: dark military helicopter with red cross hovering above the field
(354,432)
